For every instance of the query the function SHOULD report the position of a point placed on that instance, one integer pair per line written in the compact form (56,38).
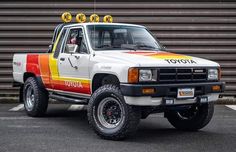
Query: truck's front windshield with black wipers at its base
(121,37)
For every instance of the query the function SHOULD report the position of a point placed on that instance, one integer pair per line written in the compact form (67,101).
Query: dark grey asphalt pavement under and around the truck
(65,129)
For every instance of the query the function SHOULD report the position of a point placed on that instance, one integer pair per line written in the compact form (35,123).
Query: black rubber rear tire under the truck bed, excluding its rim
(40,96)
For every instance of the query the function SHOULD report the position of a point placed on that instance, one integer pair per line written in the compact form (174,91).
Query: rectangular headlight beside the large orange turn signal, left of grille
(147,75)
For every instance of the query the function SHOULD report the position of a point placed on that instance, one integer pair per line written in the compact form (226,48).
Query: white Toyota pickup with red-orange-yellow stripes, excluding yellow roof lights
(123,74)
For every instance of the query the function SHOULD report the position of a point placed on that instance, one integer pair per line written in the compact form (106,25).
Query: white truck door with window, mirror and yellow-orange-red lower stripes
(73,63)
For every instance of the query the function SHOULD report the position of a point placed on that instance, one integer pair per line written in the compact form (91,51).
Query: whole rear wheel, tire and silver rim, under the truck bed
(35,98)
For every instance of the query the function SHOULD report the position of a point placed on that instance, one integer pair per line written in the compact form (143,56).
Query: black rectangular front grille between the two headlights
(173,75)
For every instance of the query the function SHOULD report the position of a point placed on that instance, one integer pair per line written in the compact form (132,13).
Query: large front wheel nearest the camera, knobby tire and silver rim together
(109,115)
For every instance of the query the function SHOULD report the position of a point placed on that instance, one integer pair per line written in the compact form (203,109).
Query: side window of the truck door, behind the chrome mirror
(75,42)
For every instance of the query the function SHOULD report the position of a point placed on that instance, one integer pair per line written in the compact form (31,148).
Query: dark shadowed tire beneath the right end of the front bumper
(200,120)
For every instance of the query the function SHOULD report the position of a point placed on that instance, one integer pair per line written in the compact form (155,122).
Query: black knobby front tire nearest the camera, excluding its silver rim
(132,114)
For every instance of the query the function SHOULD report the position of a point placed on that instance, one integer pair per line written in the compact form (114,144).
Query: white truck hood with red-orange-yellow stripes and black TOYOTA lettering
(157,59)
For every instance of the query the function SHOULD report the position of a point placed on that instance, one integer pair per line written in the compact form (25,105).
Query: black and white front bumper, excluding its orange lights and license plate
(164,93)
